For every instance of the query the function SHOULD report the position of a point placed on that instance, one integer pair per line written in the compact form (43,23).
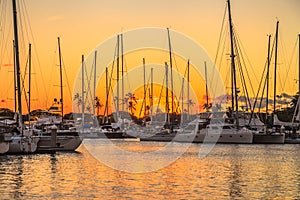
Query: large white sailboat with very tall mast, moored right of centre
(218,131)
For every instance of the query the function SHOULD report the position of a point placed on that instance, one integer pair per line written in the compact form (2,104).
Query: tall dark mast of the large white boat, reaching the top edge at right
(232,55)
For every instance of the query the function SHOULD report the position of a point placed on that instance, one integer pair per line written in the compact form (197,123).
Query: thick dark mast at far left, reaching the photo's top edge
(18,71)
